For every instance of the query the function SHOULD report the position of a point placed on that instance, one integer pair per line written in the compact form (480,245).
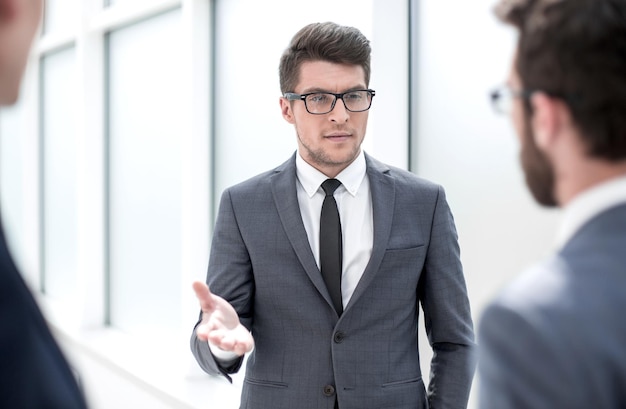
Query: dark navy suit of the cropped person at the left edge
(34,372)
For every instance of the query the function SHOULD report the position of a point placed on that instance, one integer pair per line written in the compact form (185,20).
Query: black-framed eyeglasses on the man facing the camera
(319,103)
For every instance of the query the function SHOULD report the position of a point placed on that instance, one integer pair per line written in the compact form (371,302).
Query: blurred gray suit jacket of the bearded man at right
(557,337)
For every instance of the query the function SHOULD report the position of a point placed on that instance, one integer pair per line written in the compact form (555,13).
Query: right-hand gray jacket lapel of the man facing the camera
(382,188)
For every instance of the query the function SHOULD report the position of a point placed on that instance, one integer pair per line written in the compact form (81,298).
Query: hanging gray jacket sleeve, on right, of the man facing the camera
(447,316)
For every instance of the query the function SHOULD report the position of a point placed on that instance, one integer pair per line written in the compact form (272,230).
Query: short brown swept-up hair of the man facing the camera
(323,42)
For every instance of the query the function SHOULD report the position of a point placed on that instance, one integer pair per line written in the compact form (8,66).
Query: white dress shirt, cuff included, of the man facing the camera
(354,203)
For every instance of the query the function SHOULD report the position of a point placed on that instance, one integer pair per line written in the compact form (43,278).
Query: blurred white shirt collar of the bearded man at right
(588,204)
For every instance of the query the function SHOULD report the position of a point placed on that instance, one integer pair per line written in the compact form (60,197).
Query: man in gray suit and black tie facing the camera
(314,345)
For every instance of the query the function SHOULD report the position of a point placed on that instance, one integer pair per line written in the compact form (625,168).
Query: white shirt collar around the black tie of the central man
(351,177)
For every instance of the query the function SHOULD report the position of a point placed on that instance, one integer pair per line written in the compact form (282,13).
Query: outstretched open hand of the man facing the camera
(220,323)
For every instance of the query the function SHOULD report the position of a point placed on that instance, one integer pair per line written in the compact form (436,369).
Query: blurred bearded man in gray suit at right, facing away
(556,337)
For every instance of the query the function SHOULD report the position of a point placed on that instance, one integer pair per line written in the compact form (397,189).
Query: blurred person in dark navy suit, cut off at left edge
(33,371)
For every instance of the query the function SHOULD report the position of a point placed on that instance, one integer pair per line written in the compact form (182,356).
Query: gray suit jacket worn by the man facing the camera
(305,355)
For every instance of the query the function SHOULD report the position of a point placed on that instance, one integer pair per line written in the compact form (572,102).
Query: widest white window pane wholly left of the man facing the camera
(145,173)
